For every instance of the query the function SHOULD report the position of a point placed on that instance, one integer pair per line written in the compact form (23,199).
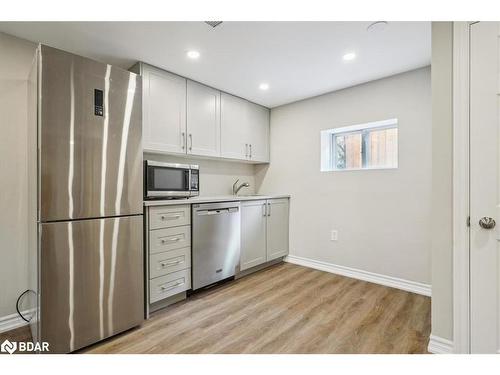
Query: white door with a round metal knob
(484,187)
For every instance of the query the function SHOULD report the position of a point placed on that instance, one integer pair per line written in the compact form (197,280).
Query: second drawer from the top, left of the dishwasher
(161,240)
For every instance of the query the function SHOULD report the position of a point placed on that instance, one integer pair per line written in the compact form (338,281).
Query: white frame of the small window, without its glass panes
(329,144)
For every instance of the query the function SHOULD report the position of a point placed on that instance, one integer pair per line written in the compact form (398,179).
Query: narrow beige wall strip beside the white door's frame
(442,179)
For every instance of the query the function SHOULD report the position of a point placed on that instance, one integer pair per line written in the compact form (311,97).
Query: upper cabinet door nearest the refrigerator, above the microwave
(164,111)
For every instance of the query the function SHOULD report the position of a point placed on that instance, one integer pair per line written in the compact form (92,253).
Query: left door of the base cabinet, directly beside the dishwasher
(253,234)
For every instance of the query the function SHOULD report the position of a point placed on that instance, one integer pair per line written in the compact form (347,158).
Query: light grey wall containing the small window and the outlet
(382,216)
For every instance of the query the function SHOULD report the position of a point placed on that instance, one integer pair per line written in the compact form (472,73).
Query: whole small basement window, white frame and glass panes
(373,145)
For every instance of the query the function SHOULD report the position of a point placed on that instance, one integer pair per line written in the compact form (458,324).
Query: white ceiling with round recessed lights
(297,59)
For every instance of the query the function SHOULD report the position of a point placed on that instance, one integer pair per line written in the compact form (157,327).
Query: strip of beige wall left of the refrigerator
(15,63)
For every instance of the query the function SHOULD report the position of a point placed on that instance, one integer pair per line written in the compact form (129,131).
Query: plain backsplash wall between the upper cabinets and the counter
(216,176)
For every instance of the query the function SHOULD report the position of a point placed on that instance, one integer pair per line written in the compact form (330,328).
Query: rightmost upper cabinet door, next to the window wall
(259,132)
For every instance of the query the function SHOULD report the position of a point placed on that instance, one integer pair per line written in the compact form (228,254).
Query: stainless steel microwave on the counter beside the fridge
(169,180)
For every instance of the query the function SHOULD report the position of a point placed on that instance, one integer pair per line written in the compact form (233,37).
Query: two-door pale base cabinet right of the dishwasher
(264,231)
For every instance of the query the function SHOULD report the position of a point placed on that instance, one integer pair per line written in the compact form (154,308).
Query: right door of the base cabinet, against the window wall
(277,228)
